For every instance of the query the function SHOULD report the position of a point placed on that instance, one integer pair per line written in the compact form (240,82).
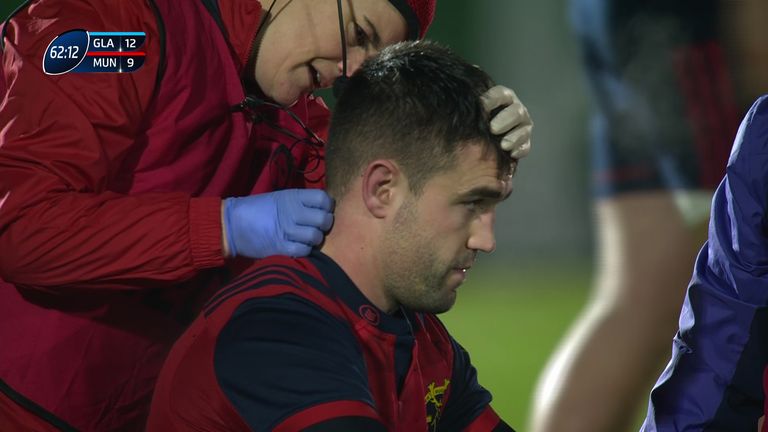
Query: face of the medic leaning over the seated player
(301,48)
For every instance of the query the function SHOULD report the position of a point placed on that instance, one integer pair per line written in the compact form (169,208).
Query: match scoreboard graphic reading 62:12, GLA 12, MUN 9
(80,51)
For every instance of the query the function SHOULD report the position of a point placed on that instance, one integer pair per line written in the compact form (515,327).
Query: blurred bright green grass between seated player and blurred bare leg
(510,321)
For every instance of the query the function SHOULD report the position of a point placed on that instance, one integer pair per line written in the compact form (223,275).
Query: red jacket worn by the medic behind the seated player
(110,192)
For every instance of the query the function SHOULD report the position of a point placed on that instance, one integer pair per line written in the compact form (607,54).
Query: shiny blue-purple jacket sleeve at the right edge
(714,380)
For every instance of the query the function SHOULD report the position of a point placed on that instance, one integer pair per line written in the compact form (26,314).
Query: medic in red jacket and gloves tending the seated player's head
(124,198)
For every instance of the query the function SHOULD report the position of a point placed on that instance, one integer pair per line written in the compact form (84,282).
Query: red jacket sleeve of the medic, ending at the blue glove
(62,140)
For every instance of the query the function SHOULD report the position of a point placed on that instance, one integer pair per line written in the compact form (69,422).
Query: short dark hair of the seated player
(417,103)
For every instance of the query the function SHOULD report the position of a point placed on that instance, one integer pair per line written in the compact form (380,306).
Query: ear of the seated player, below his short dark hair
(383,187)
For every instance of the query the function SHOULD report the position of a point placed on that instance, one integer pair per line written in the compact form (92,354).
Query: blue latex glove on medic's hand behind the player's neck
(287,222)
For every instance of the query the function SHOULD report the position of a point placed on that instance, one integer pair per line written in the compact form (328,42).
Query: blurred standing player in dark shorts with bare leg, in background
(670,81)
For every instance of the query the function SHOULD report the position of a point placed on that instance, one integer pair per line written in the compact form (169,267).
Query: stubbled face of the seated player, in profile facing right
(435,236)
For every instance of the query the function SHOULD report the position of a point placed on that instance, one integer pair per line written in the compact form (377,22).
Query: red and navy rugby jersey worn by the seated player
(294,345)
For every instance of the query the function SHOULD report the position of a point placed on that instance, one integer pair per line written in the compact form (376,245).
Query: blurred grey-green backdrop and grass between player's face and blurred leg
(519,301)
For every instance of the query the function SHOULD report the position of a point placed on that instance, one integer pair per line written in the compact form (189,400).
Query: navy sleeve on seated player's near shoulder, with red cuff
(279,356)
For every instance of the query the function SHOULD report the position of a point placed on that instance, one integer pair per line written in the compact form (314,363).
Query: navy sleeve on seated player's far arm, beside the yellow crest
(468,399)
